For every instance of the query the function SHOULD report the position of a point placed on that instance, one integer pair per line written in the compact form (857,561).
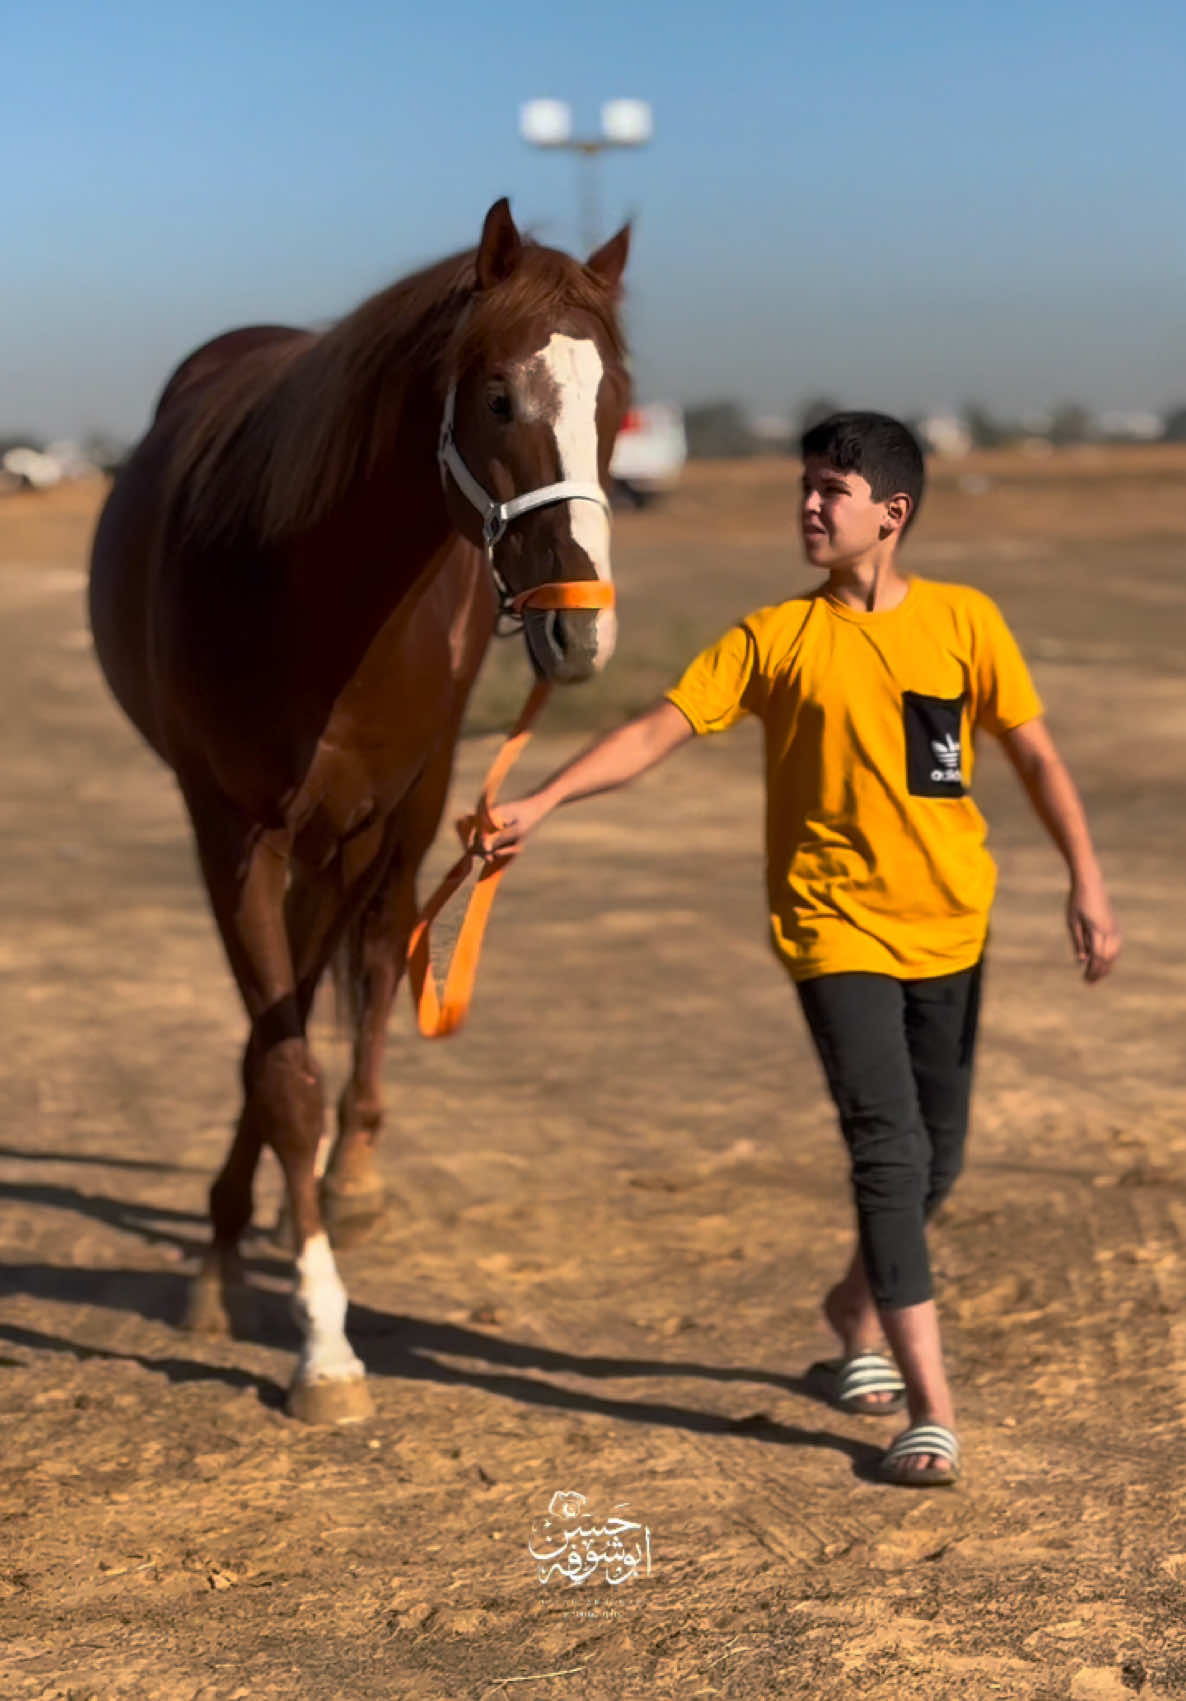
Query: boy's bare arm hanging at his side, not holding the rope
(1052,792)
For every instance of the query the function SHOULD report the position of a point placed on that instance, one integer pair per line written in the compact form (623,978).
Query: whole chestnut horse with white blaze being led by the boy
(294,584)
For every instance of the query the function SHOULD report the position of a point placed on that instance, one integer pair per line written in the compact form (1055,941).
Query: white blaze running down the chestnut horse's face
(576,372)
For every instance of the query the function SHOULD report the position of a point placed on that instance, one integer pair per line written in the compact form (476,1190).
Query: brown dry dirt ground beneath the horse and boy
(617,1202)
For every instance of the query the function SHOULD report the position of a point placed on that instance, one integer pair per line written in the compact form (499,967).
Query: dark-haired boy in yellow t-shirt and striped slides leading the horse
(870,690)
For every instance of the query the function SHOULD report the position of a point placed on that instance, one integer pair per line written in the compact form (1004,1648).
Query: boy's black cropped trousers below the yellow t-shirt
(898,1055)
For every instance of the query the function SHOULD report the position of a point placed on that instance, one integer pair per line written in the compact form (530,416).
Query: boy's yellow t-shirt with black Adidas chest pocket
(875,853)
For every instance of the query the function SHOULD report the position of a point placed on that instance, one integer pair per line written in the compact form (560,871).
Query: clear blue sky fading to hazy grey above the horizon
(896,205)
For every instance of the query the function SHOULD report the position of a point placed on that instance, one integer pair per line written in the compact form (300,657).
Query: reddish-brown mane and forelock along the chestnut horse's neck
(278,438)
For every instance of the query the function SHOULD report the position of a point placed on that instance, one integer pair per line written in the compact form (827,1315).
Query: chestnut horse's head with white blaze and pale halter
(539,392)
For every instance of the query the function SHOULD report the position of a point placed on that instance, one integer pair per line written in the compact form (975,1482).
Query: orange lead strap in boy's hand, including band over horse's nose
(443,1013)
